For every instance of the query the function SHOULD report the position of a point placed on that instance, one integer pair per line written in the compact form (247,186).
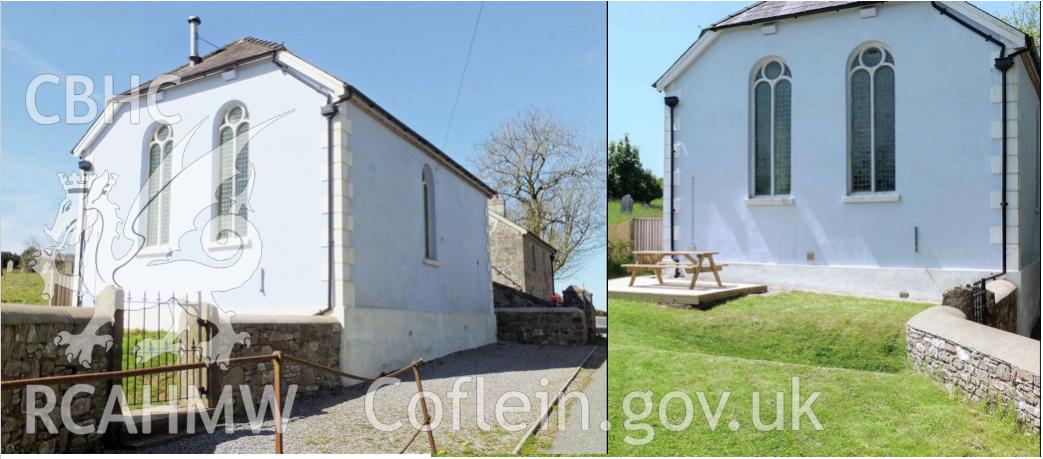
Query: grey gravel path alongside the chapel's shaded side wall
(337,423)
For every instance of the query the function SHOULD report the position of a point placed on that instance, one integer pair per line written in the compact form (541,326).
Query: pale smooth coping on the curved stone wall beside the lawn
(952,325)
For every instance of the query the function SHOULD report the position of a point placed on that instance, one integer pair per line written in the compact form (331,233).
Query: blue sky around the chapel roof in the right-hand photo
(644,40)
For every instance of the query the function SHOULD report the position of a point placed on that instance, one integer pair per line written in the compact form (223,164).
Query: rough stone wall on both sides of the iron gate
(30,351)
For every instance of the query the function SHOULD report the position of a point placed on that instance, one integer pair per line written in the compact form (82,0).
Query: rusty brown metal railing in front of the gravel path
(276,358)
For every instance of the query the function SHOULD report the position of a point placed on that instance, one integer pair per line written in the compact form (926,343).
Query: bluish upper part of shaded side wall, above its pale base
(389,236)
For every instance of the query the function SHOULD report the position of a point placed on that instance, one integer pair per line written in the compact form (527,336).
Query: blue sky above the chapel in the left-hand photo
(407,57)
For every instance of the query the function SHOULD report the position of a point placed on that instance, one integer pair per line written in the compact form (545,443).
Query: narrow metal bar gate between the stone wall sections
(156,330)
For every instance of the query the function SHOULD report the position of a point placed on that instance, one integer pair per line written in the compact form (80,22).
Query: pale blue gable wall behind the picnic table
(944,152)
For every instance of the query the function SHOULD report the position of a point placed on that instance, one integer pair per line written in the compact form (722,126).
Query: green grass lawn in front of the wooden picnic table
(851,351)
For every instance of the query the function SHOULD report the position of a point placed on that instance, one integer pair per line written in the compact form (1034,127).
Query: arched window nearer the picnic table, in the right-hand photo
(772,92)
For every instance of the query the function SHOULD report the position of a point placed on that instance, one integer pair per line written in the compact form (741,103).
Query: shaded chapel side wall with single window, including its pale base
(405,308)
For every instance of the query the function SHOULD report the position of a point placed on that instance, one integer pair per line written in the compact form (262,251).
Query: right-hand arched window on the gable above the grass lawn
(871,77)
